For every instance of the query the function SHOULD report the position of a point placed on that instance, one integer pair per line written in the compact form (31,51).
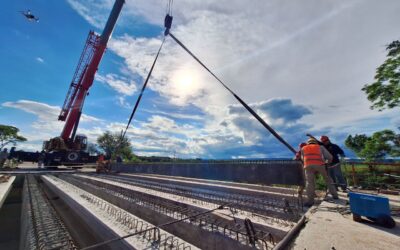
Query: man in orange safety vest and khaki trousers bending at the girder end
(314,158)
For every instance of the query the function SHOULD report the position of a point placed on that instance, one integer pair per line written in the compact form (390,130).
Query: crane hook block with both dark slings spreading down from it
(168,23)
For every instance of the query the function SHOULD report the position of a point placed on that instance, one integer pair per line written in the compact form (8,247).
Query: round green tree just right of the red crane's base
(112,145)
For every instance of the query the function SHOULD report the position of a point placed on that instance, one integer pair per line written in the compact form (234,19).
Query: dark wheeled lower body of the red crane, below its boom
(72,153)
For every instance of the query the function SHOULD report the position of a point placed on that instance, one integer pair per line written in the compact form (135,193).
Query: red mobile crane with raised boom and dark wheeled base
(70,148)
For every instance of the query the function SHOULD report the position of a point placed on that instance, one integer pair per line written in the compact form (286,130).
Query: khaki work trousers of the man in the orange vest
(310,172)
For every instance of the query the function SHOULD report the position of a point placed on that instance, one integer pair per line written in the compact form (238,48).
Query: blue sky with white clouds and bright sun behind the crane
(300,65)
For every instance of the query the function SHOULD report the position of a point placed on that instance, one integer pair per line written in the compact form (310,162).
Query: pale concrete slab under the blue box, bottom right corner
(330,226)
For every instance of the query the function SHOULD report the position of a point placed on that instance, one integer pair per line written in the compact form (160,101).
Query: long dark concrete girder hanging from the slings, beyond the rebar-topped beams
(285,172)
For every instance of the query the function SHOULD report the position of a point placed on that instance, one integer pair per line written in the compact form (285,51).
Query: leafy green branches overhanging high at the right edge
(385,91)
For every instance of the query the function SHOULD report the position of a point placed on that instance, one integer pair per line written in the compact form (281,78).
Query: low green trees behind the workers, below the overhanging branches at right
(378,146)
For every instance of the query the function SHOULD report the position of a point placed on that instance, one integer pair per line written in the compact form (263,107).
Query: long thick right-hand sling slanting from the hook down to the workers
(269,128)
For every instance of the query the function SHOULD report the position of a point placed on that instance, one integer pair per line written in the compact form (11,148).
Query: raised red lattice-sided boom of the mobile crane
(84,74)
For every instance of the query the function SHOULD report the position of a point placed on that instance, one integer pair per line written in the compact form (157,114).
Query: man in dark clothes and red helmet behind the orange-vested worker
(334,168)
